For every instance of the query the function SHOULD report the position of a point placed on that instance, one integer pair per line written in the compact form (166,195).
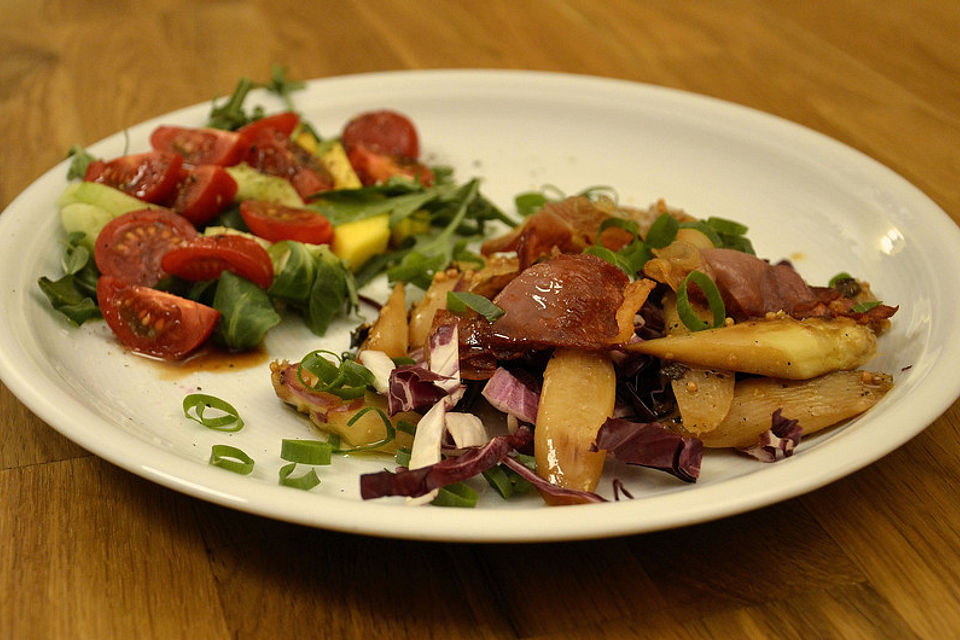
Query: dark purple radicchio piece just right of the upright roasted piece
(650,444)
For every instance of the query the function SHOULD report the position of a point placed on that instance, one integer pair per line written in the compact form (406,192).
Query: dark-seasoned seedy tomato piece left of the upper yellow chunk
(276,154)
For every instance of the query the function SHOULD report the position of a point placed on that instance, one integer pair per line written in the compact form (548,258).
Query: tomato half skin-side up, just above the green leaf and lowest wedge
(207,257)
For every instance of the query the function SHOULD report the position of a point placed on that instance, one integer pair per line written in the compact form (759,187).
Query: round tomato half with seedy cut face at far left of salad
(131,246)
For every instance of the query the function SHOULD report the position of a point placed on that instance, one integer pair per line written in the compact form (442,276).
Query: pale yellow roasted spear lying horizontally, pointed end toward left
(780,348)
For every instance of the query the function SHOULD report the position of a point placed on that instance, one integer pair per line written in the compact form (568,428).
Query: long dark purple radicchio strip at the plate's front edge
(414,483)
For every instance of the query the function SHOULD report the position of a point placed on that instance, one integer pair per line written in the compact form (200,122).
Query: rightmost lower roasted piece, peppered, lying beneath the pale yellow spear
(816,404)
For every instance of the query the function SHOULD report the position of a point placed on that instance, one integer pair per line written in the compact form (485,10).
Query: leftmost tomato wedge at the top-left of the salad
(150,176)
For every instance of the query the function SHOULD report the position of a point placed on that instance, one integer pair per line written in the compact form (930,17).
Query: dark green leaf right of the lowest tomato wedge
(246,312)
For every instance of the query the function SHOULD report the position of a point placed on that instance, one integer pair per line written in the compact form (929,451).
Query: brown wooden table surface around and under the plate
(90,551)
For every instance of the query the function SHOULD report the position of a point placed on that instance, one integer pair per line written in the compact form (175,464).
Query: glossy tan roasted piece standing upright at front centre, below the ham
(579,389)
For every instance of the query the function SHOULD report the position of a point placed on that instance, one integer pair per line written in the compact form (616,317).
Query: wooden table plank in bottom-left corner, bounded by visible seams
(91,552)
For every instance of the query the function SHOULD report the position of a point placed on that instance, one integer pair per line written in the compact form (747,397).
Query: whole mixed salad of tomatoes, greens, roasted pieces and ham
(587,330)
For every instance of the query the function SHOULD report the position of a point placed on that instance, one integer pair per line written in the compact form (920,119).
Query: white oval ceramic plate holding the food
(805,197)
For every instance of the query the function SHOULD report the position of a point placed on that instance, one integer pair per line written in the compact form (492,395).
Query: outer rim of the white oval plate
(176,472)
